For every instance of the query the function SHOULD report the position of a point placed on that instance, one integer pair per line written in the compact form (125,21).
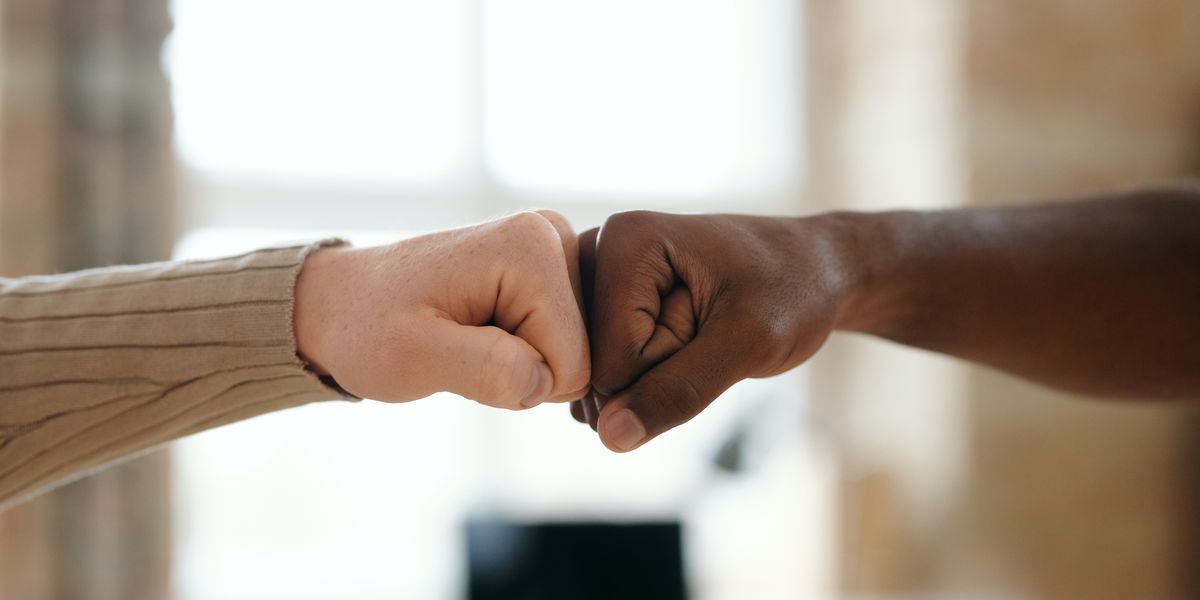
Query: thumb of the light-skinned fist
(490,367)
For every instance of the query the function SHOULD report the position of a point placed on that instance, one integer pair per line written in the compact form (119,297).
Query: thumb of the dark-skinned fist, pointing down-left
(674,392)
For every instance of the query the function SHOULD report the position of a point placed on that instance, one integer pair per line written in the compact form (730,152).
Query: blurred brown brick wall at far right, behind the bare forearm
(1079,499)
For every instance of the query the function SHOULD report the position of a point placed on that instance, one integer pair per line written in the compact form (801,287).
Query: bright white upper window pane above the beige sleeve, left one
(319,89)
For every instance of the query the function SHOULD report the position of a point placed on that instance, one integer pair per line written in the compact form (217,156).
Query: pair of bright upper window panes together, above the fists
(664,99)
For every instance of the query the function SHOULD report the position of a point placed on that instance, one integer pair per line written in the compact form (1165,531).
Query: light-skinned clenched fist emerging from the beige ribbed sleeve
(490,313)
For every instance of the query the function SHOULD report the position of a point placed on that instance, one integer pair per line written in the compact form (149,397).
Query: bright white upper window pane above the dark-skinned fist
(680,98)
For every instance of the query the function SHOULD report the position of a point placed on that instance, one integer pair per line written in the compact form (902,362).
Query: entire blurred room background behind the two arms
(143,130)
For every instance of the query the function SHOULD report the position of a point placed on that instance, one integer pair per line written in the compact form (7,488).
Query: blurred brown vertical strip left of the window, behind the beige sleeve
(87,179)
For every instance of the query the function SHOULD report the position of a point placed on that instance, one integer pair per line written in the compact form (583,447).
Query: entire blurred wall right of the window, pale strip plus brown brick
(962,481)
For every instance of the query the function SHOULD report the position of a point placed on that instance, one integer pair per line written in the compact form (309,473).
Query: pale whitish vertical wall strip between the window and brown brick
(885,111)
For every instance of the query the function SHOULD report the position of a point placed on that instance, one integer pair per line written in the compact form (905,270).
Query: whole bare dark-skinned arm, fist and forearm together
(1096,296)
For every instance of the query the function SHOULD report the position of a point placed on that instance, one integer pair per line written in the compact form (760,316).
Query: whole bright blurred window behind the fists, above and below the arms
(377,118)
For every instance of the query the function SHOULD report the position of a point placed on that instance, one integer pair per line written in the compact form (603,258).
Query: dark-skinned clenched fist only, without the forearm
(685,307)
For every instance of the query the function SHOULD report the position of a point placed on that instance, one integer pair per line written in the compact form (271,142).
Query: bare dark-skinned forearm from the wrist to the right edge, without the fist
(1099,296)
